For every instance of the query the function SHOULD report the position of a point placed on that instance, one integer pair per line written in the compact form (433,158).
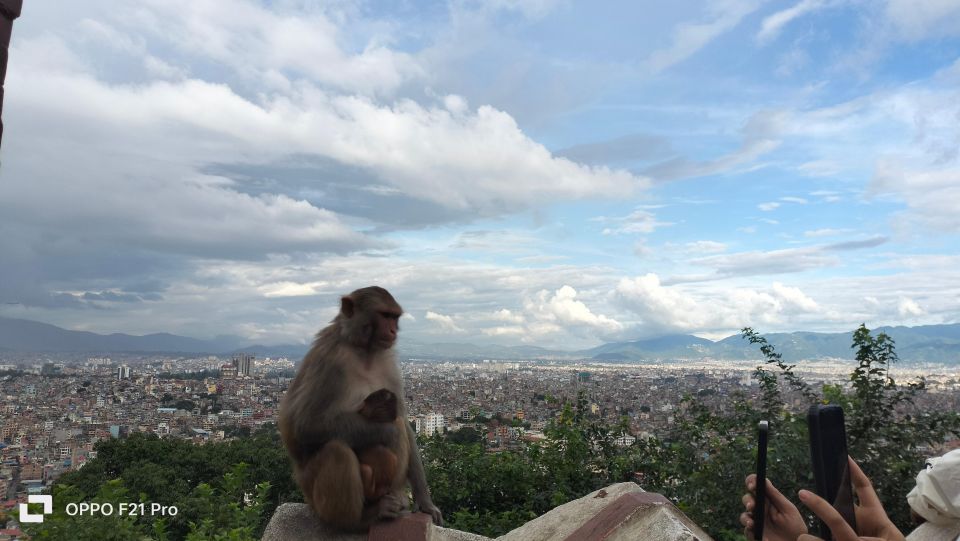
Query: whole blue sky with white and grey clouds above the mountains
(542,172)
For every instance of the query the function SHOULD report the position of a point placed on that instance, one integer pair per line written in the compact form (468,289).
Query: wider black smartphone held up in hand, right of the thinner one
(831,467)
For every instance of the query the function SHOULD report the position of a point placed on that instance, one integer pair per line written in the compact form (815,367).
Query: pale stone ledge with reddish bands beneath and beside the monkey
(619,512)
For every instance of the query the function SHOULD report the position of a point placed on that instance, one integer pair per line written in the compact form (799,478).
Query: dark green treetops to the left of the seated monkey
(200,480)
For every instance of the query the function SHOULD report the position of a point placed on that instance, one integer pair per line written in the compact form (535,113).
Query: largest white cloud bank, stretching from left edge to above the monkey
(159,135)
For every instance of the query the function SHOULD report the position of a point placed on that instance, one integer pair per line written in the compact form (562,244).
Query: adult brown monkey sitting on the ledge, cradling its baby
(344,422)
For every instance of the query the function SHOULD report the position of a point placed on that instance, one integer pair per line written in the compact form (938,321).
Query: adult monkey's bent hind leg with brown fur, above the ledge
(333,486)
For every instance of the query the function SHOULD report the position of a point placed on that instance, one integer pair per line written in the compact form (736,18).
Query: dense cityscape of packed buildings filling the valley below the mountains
(56,408)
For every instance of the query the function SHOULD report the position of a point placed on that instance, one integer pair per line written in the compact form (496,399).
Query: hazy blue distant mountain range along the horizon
(929,343)
